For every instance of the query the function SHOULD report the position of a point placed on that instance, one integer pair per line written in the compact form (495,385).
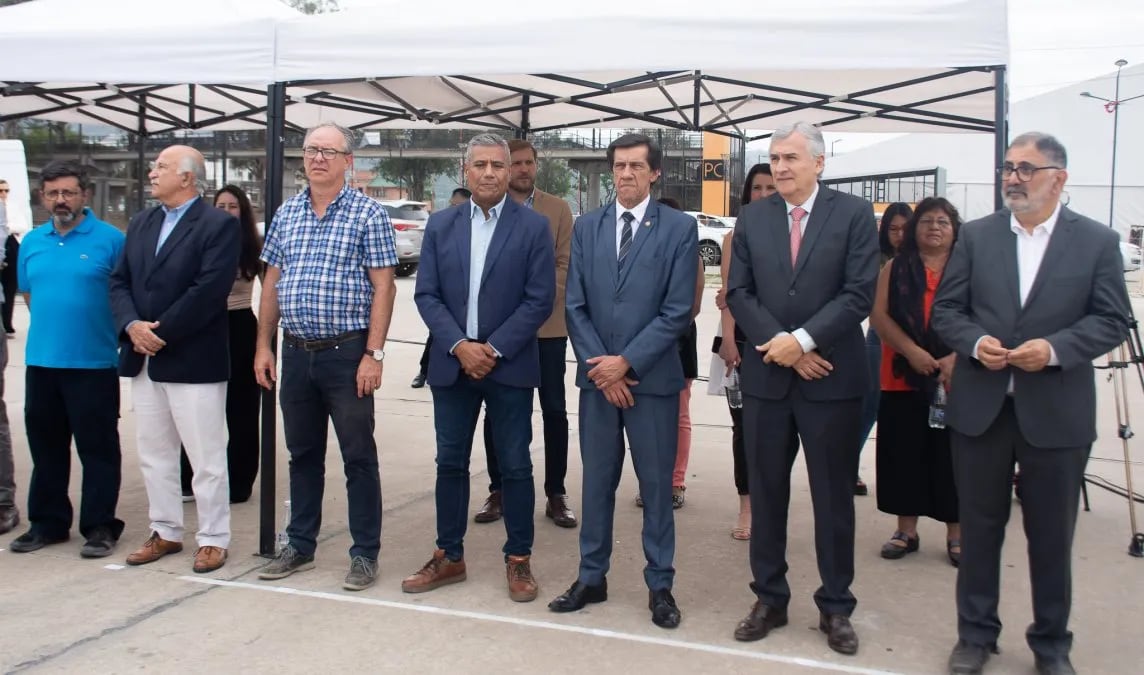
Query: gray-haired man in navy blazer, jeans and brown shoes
(487,283)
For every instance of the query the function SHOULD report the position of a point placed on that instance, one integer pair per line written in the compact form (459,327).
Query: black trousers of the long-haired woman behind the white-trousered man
(244,399)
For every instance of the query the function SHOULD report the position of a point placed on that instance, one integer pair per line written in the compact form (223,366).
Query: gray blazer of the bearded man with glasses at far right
(1078,303)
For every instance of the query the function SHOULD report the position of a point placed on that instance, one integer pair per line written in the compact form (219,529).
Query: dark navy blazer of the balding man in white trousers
(185,288)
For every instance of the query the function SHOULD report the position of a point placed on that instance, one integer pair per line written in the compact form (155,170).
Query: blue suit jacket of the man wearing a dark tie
(640,313)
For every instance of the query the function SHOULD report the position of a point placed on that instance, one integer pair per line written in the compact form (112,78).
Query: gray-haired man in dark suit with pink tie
(804,267)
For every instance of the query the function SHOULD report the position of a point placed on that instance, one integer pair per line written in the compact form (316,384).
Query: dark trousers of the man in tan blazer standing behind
(554,412)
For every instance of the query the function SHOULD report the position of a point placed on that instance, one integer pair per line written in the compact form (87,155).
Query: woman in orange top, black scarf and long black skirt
(915,465)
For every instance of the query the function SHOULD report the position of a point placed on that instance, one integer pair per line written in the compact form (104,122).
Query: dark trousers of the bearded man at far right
(1051,482)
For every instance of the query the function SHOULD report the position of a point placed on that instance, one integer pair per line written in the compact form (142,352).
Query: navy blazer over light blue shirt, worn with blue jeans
(517,295)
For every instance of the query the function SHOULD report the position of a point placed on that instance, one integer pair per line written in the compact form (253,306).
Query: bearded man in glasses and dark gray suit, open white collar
(1031,296)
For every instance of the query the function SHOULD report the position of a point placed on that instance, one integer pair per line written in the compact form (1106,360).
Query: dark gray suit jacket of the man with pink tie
(829,293)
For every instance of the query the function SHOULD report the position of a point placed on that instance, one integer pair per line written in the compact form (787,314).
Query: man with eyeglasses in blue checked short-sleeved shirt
(330,258)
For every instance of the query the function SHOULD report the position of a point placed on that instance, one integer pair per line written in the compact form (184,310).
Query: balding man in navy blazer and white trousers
(169,296)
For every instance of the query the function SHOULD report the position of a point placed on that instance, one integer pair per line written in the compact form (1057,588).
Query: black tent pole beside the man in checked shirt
(273,196)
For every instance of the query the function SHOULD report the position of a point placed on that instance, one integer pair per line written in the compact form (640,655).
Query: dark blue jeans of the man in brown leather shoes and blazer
(456,411)
